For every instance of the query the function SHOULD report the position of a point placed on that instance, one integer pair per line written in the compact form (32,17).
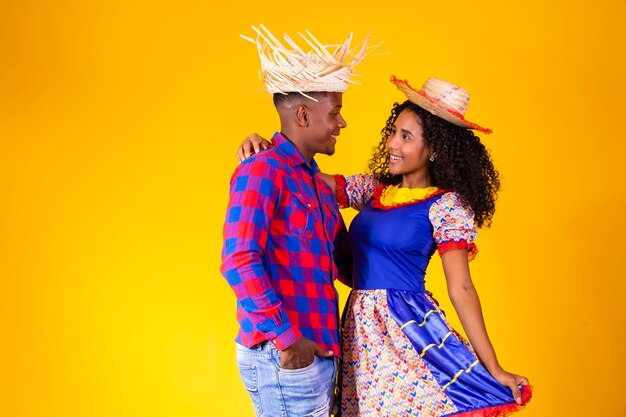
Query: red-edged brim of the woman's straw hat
(436,106)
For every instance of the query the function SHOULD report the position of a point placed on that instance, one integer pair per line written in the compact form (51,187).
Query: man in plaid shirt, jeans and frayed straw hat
(283,235)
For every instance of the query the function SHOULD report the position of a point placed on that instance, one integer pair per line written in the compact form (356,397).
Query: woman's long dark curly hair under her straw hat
(462,164)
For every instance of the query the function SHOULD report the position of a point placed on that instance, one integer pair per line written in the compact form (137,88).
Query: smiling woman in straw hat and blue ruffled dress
(433,184)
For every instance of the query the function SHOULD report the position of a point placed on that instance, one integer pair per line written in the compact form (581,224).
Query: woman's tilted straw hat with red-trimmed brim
(441,98)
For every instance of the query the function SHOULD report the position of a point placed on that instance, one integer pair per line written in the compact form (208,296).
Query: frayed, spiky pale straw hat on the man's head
(288,68)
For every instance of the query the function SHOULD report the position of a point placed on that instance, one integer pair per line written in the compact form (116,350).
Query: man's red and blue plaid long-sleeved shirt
(284,244)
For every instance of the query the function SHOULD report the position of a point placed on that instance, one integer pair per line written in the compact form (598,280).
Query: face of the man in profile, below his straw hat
(325,123)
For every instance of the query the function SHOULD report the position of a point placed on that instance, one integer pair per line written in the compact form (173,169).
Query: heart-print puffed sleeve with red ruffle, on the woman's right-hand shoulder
(453,225)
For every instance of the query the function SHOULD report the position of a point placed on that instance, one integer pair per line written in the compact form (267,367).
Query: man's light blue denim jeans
(278,392)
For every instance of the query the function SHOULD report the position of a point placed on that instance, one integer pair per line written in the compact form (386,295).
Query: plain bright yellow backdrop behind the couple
(119,122)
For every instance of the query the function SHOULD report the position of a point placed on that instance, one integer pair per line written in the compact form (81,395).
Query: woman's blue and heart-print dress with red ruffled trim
(400,355)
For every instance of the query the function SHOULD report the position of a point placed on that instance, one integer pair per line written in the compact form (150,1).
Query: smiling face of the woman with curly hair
(408,151)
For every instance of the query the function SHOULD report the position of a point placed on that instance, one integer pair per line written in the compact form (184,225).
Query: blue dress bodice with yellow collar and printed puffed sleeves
(397,231)
